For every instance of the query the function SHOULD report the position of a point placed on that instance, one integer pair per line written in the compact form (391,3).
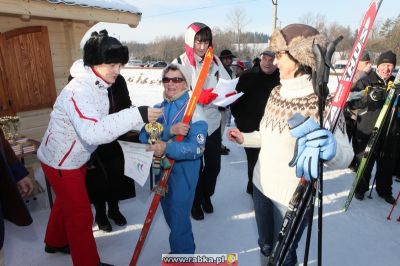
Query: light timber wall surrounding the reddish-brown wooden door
(65,38)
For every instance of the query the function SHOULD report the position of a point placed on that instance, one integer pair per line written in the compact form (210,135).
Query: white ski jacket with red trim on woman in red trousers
(80,121)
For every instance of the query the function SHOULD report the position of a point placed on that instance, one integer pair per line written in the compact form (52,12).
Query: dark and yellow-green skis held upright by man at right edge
(386,115)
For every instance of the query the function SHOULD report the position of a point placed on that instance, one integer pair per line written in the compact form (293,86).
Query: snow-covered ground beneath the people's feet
(361,236)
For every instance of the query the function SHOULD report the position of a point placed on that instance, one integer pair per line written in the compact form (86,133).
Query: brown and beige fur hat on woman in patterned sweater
(297,39)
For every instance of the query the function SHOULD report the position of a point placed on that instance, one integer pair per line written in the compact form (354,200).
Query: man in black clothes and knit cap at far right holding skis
(373,90)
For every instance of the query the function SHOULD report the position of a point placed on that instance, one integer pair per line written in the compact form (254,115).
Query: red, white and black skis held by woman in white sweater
(303,194)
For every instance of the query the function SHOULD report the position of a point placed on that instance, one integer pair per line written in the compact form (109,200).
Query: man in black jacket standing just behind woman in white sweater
(256,84)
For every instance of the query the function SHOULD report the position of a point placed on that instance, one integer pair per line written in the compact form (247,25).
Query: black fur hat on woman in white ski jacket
(103,49)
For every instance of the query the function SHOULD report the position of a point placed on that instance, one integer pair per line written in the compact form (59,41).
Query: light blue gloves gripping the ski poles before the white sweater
(318,144)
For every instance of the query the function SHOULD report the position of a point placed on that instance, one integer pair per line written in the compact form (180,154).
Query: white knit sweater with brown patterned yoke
(272,175)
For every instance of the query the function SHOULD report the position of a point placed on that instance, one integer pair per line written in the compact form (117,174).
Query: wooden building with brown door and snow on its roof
(39,41)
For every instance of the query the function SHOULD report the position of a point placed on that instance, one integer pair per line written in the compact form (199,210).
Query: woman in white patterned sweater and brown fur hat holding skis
(274,182)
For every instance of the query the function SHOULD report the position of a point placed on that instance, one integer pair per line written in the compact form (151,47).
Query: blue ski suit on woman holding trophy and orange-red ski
(182,182)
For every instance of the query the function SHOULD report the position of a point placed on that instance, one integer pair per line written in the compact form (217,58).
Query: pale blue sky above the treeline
(170,18)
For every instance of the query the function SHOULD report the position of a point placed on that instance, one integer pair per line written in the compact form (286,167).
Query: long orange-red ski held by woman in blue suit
(161,187)
